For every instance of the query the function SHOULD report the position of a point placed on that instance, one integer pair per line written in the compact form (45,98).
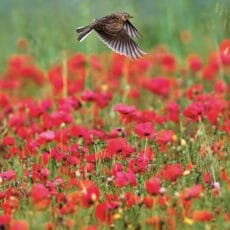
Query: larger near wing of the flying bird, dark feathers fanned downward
(122,43)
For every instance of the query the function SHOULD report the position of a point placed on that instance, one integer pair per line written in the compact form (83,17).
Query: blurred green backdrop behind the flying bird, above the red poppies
(49,26)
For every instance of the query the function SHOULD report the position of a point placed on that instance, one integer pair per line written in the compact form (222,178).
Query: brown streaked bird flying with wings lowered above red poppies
(117,32)
